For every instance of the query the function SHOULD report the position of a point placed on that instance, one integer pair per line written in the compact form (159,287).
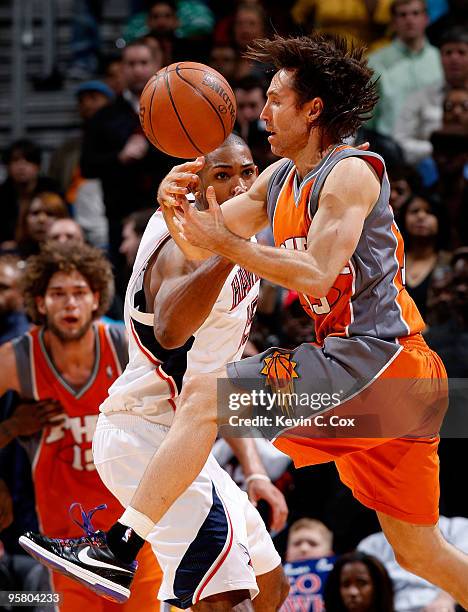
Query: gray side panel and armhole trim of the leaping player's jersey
(375,310)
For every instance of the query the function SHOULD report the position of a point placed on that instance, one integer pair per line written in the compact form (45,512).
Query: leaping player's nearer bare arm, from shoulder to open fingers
(348,196)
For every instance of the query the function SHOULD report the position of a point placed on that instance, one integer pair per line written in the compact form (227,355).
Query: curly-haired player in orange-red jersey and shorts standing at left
(70,360)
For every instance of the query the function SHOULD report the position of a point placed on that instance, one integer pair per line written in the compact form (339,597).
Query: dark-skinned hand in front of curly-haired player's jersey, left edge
(31,417)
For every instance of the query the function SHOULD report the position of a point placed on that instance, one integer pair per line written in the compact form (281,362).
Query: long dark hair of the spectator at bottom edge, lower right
(382,583)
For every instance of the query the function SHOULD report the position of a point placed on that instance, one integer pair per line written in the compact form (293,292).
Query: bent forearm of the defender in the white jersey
(181,310)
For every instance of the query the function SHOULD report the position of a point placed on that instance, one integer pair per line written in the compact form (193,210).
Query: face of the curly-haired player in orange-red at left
(68,305)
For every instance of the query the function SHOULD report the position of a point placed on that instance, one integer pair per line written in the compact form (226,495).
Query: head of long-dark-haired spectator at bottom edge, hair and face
(358,582)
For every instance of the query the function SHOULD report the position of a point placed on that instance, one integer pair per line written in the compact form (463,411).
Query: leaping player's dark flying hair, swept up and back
(326,68)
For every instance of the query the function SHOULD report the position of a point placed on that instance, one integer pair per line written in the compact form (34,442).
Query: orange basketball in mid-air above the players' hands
(187,109)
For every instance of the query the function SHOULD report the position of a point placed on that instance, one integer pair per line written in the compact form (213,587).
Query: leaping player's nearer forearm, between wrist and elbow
(285,267)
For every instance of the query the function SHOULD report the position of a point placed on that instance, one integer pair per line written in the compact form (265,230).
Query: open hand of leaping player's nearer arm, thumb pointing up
(203,228)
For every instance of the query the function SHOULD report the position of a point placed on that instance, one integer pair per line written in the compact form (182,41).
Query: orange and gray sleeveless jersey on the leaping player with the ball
(368,297)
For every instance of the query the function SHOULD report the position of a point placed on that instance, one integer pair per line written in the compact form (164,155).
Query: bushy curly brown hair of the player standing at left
(69,257)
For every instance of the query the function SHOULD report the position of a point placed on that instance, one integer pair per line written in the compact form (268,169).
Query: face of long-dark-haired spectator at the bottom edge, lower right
(356,587)
